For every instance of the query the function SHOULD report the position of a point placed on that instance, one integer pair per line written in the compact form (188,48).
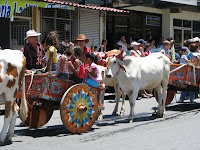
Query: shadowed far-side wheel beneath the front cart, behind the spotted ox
(39,113)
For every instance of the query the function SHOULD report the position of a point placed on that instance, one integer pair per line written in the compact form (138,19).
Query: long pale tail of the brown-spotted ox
(23,106)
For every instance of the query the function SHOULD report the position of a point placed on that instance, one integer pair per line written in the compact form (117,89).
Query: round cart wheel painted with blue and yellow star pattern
(79,108)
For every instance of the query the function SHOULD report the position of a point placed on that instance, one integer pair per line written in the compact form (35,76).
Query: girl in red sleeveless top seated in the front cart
(77,67)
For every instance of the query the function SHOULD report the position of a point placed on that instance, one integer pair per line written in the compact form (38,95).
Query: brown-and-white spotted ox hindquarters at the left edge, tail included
(12,69)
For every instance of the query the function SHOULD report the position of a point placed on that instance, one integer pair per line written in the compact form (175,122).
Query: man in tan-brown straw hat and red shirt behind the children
(81,41)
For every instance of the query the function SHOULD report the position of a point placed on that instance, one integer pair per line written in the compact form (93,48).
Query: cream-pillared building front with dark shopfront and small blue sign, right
(151,19)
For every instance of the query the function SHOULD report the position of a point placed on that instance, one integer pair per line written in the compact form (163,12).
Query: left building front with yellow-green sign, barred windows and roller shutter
(68,18)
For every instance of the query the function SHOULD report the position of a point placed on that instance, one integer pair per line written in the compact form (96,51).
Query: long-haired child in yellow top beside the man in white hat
(51,50)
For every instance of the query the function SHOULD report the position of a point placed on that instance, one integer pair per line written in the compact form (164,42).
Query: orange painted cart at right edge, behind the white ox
(183,77)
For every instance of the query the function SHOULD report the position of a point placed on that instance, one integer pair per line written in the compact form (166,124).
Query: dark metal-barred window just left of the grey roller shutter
(60,20)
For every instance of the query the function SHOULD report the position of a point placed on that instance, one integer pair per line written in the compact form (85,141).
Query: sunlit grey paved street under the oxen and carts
(179,130)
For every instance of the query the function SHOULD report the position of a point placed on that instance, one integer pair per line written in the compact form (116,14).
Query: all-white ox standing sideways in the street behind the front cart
(140,73)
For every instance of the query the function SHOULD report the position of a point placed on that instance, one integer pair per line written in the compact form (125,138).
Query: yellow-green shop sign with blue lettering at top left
(8,8)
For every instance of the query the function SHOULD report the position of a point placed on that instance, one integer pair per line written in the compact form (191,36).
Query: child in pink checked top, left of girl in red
(62,66)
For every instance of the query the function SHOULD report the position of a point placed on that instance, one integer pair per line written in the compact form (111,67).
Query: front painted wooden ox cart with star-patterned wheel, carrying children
(78,103)
